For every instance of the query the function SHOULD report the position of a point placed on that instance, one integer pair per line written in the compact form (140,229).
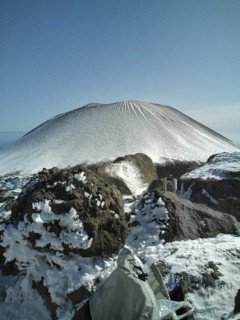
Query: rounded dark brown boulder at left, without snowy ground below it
(86,198)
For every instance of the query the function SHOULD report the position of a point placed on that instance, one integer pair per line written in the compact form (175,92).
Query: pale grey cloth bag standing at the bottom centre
(123,296)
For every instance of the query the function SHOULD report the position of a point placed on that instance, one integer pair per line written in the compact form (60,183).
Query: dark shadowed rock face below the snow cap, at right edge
(222,195)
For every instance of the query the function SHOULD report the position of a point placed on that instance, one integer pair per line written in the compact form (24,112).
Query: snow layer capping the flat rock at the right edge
(217,168)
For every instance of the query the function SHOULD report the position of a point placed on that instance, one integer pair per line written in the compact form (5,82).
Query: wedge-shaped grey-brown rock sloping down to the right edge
(192,221)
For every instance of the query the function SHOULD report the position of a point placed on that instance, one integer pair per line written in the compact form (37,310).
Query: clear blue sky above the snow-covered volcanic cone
(59,55)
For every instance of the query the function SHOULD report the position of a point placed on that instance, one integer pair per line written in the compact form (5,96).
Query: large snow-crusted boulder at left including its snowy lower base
(64,223)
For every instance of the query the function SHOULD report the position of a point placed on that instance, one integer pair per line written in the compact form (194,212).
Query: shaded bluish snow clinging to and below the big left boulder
(72,272)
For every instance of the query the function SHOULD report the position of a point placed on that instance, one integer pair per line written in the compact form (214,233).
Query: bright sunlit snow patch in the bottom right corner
(192,256)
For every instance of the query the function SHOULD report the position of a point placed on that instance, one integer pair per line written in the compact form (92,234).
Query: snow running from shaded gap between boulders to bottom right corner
(190,256)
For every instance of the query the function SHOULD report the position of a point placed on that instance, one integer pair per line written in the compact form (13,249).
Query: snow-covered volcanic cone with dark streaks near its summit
(100,132)
